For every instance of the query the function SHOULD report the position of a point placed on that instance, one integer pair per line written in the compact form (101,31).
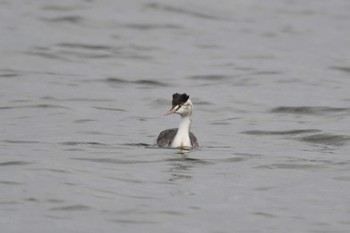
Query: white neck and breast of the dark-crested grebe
(182,137)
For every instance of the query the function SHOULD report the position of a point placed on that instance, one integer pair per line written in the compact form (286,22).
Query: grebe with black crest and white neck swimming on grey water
(181,137)
